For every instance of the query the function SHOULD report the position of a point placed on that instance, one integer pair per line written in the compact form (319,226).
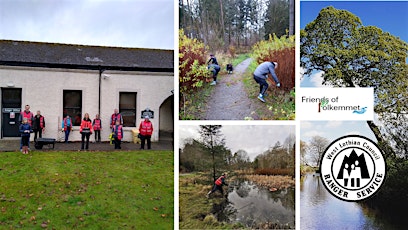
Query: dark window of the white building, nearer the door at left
(72,105)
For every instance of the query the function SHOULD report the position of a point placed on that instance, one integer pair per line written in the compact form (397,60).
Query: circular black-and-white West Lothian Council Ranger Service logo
(353,168)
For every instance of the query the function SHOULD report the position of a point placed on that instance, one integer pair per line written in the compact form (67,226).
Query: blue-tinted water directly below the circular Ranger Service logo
(320,210)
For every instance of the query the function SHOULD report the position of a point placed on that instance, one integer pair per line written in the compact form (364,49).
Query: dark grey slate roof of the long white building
(53,55)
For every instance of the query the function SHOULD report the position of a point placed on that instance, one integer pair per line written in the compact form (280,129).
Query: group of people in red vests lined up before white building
(30,123)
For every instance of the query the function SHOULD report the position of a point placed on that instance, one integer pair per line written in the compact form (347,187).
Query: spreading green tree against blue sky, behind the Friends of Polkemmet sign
(353,55)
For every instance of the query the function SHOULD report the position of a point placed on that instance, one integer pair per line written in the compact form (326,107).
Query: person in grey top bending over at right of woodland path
(261,74)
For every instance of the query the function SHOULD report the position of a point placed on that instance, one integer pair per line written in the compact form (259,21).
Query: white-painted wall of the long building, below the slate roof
(42,89)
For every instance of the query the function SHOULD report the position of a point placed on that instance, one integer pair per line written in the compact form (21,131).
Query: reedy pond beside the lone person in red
(251,205)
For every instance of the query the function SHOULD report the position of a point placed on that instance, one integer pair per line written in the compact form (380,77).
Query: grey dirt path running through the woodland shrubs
(229,100)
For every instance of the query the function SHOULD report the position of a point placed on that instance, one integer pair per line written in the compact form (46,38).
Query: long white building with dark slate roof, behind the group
(60,79)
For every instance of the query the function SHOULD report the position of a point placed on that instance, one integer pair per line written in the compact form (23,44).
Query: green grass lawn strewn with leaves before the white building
(87,190)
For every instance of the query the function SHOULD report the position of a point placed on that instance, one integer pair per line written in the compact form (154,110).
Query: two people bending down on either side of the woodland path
(260,74)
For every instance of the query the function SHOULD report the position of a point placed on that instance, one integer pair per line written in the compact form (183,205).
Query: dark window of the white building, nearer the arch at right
(127,107)
